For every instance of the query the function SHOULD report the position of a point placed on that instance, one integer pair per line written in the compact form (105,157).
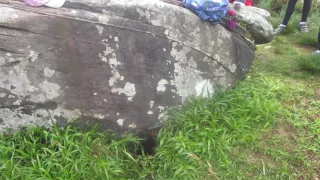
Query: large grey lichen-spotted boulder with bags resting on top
(120,63)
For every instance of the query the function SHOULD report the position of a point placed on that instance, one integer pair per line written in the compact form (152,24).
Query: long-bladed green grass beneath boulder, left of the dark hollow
(68,153)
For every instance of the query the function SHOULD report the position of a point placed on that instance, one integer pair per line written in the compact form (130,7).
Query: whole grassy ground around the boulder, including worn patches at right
(268,127)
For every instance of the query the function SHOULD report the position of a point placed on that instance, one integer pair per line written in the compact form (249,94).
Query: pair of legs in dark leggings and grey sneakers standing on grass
(290,8)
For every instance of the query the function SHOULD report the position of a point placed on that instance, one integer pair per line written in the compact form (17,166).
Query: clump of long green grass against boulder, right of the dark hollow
(211,128)
